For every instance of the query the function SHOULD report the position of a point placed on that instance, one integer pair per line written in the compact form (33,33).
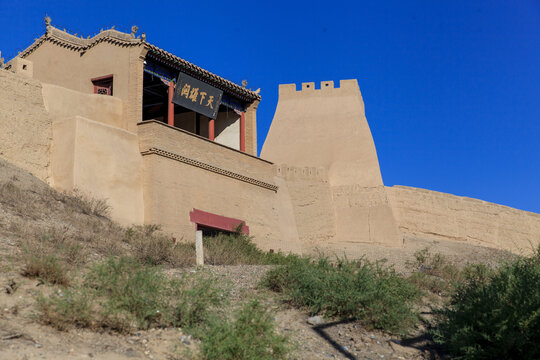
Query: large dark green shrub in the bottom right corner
(495,314)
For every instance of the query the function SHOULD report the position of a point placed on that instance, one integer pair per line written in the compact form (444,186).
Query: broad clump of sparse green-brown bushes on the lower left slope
(121,294)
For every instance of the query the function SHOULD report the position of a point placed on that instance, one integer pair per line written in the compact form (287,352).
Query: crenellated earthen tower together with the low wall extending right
(334,190)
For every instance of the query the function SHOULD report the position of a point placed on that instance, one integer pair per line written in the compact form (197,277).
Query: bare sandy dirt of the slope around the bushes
(29,210)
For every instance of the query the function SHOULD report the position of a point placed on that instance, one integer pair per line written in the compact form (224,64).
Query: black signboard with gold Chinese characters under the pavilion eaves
(198,96)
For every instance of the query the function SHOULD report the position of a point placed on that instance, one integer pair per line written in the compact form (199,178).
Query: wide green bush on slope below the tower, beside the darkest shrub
(370,292)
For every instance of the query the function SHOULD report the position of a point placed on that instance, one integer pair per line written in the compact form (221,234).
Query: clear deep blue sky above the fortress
(451,88)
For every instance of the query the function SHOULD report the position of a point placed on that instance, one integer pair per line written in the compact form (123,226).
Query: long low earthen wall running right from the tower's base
(435,214)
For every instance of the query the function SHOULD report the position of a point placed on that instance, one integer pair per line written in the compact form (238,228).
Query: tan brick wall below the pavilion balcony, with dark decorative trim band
(183,171)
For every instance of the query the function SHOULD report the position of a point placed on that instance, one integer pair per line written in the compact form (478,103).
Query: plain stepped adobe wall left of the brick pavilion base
(71,140)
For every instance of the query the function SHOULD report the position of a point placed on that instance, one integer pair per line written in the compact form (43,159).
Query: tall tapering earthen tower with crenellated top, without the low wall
(327,128)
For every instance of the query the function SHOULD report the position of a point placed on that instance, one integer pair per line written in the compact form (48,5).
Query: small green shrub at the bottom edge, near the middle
(250,335)
